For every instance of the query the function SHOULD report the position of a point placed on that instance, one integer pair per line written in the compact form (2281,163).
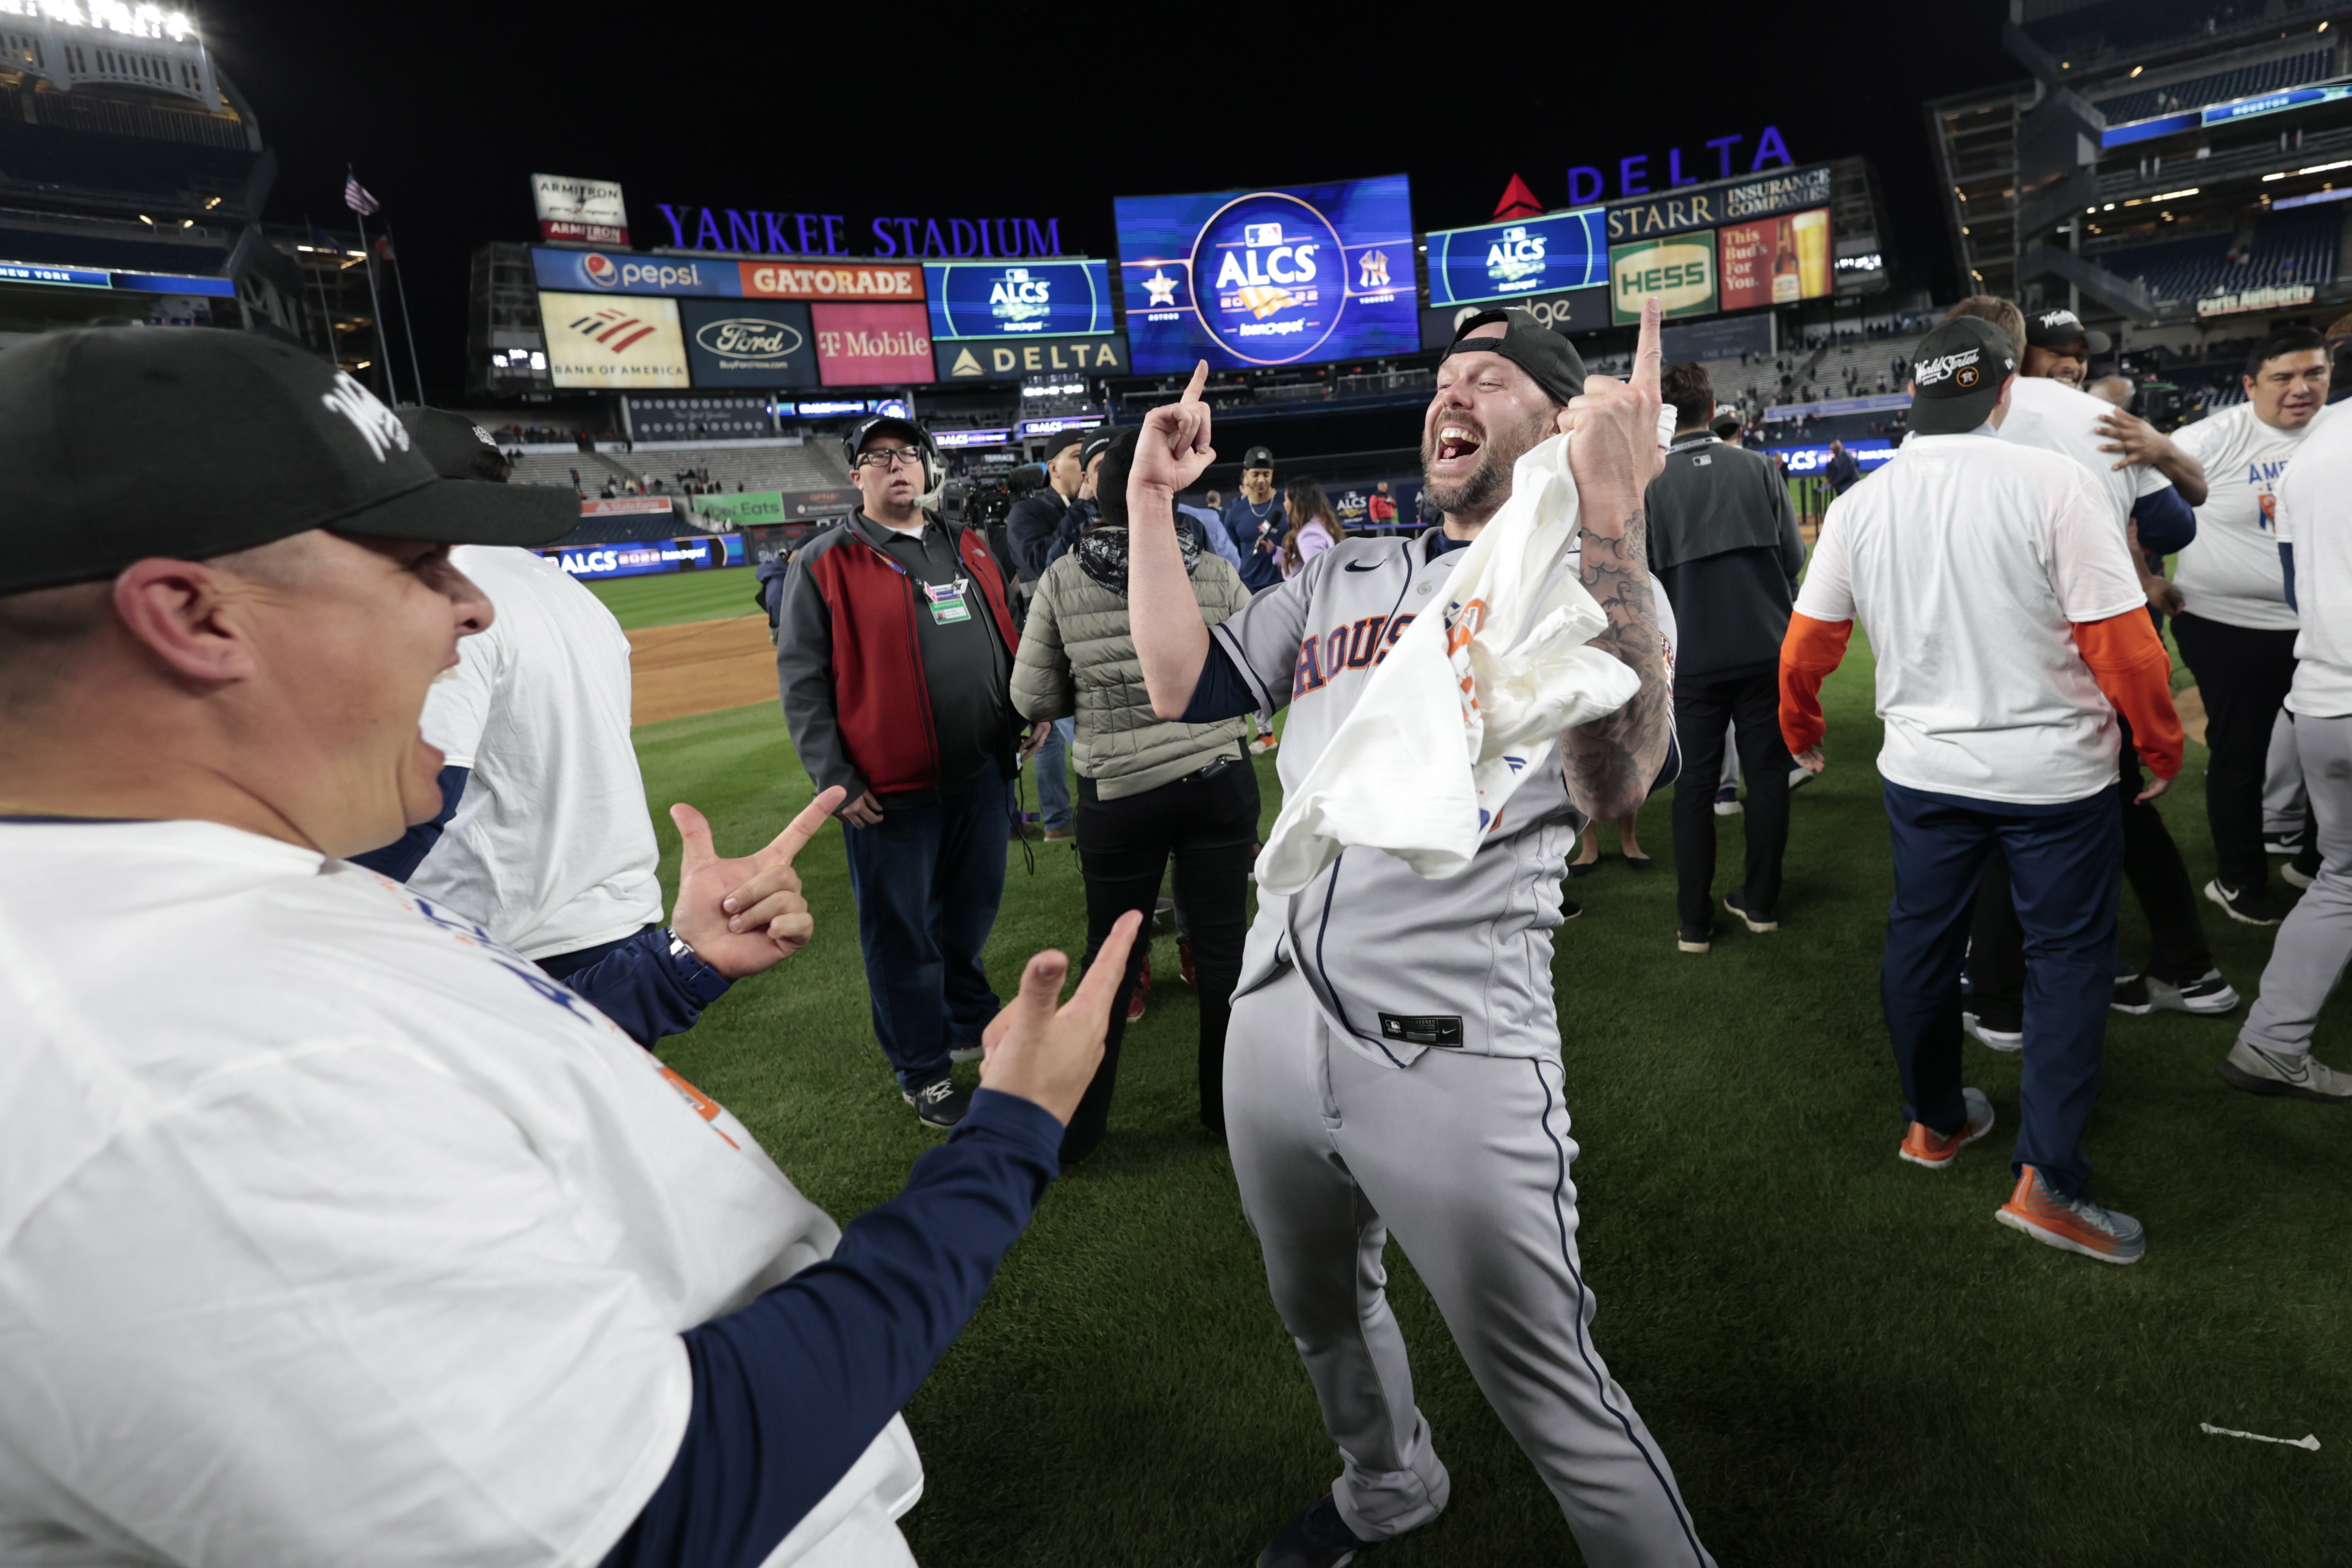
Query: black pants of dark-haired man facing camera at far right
(2243,676)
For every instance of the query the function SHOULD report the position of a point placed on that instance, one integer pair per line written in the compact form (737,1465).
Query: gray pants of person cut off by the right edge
(2316,942)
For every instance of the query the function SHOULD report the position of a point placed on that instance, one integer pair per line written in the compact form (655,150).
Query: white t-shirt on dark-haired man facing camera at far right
(2233,572)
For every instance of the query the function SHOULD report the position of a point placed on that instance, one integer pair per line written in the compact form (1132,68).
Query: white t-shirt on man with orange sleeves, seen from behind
(1967,561)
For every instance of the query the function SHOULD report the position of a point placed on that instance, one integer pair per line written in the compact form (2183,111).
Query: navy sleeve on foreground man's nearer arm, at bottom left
(794,1388)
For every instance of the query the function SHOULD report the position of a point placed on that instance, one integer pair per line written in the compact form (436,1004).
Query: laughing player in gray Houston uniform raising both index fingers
(1396,1059)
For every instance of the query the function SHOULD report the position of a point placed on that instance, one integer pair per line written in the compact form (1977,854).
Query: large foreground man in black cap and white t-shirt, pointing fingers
(328,1207)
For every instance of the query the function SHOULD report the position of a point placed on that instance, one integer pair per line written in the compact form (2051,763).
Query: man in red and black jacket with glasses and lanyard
(895,664)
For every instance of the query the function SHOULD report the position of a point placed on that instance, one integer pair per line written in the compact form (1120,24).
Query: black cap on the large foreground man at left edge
(126,443)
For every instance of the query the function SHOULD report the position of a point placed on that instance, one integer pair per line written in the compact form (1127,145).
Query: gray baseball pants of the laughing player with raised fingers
(1466,1158)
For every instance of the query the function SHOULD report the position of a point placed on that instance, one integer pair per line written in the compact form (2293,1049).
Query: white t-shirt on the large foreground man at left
(335,1233)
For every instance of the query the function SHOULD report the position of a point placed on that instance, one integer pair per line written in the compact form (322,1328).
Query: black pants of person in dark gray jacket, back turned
(1751,704)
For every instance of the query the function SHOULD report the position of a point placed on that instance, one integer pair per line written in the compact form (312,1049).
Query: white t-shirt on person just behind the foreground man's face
(552,845)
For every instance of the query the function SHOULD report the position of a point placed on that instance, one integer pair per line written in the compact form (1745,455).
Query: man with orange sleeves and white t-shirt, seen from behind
(2010,634)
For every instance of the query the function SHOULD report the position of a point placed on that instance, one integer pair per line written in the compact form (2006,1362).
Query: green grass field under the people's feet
(1843,1355)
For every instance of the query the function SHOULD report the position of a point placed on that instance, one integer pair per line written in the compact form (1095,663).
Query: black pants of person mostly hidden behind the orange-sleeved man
(2158,876)
